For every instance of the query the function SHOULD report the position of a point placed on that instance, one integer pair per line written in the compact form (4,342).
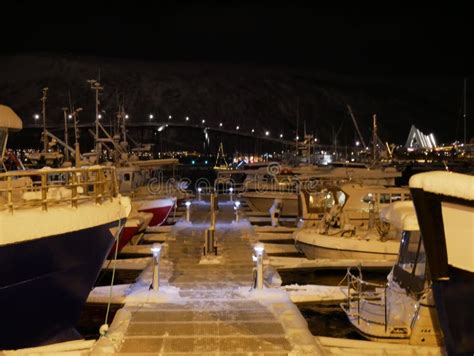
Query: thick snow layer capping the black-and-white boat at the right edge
(446,183)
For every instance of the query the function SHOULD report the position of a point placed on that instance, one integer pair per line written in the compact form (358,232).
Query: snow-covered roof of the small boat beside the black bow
(402,215)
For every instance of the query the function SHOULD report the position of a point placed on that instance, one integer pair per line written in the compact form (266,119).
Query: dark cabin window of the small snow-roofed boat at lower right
(410,270)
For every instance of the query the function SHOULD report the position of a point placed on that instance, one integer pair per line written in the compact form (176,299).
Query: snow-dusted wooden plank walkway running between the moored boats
(207,306)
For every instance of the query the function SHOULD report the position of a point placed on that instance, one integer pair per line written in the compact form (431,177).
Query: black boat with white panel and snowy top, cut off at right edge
(444,204)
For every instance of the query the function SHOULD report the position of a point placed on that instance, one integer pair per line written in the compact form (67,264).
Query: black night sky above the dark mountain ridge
(386,39)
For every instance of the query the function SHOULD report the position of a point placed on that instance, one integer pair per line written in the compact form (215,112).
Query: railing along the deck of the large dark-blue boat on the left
(47,187)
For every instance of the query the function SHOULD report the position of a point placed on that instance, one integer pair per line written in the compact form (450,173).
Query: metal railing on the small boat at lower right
(361,292)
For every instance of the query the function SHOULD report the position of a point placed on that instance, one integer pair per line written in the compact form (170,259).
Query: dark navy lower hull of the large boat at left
(45,282)
